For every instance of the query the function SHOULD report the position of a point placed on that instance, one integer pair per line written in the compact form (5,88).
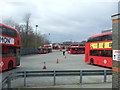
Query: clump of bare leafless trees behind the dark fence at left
(28,37)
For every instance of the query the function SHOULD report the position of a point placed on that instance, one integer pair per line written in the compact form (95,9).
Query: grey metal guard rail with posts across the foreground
(54,74)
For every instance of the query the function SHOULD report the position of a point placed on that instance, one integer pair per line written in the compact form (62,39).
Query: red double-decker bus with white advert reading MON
(10,48)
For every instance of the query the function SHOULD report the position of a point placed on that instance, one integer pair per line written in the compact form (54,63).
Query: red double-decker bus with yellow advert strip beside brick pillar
(98,50)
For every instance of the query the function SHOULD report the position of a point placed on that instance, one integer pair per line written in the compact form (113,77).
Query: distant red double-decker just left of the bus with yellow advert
(78,48)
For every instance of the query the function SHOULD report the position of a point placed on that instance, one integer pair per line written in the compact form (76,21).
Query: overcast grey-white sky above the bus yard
(65,20)
